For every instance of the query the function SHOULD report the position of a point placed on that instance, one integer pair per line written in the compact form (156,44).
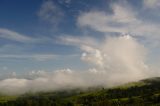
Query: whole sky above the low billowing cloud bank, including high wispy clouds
(51,34)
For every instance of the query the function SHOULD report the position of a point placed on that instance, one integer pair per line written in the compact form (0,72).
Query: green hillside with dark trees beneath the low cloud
(143,93)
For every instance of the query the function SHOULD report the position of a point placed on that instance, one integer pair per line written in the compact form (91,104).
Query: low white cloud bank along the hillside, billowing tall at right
(115,61)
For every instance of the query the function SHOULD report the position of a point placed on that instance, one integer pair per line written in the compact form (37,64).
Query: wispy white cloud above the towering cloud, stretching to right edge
(124,19)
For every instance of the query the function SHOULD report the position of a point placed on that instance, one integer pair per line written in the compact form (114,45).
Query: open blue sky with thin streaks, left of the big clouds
(30,31)
